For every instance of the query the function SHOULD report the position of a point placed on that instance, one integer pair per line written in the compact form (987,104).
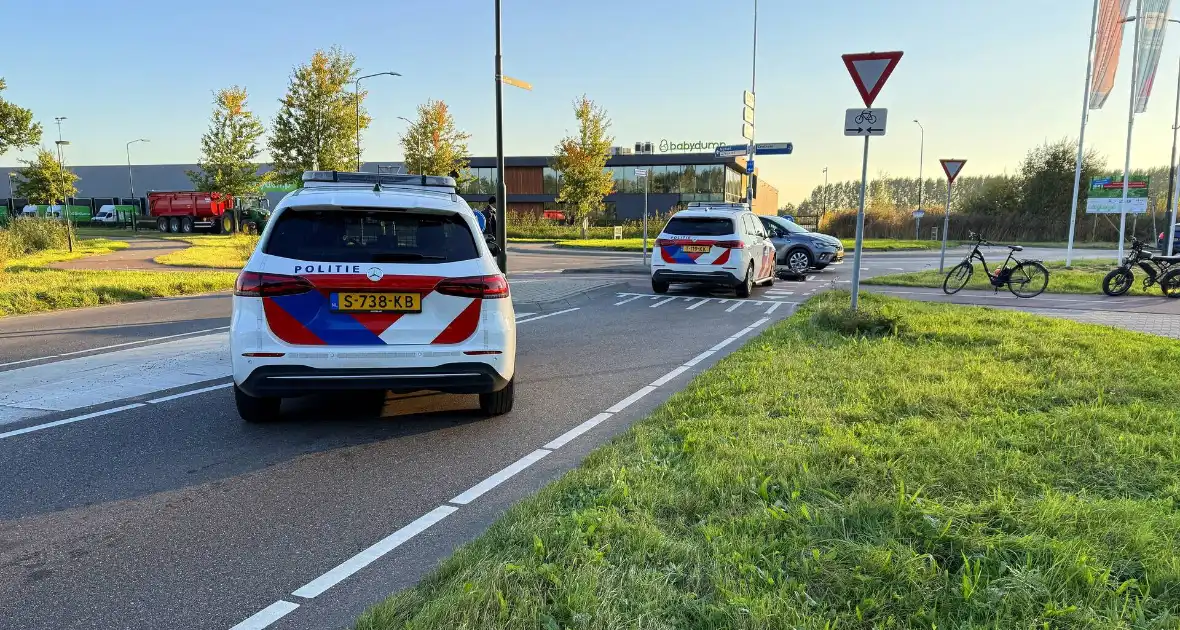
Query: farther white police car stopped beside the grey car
(714,244)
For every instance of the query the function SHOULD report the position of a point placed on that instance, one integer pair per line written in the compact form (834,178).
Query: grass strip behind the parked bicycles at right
(1084,278)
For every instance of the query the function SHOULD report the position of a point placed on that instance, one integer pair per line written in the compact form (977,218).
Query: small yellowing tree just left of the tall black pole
(432,145)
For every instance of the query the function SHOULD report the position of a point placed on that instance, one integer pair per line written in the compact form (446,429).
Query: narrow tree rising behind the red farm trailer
(231,147)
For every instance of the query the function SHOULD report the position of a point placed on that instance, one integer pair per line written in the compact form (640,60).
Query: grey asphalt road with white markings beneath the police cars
(163,510)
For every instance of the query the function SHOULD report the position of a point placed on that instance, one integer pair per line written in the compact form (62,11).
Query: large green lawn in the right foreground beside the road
(975,469)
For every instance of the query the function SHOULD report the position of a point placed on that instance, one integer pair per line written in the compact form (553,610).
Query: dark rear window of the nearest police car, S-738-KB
(360,235)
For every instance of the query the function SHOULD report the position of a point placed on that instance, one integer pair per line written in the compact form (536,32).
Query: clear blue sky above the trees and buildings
(988,80)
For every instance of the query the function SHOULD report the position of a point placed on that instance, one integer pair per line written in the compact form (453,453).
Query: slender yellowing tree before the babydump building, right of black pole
(582,162)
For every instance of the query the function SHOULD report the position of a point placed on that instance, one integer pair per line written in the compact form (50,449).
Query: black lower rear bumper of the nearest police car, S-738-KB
(290,382)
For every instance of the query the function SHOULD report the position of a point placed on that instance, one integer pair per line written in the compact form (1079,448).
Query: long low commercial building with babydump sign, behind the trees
(674,180)
